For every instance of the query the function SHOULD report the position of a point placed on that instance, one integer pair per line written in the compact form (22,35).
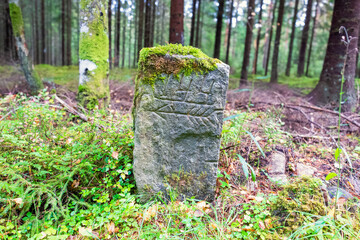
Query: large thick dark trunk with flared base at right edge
(327,92)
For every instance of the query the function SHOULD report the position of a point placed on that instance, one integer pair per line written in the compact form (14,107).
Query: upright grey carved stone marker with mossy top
(178,114)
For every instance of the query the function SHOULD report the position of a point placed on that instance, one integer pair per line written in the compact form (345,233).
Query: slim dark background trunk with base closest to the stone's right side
(248,39)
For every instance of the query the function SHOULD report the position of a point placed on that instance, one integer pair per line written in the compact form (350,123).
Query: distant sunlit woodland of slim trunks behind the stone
(52,31)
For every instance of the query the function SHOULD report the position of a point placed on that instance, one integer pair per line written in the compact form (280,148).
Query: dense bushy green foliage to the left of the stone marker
(52,164)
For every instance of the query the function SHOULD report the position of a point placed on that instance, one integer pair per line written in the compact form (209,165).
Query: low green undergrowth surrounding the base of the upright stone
(66,176)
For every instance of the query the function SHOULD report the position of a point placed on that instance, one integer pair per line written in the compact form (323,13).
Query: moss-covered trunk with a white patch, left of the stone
(94,54)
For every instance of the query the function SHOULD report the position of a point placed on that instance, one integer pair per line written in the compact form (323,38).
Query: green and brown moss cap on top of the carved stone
(173,59)
